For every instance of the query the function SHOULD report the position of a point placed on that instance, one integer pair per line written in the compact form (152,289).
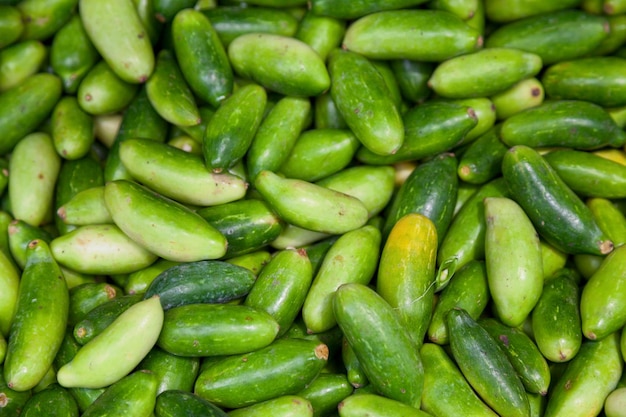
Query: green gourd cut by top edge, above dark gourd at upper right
(517,9)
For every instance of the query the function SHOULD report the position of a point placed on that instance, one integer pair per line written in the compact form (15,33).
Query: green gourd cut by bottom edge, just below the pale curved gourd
(132,395)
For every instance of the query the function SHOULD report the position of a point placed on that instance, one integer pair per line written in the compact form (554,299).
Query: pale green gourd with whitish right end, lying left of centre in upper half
(164,168)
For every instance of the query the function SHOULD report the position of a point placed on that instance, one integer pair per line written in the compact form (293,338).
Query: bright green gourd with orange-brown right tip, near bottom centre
(283,368)
